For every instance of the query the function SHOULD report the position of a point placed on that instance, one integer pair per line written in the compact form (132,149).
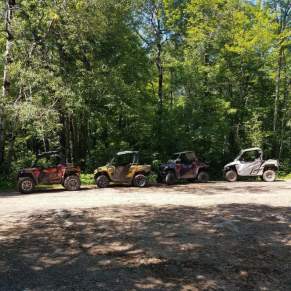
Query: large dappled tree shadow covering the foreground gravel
(230,247)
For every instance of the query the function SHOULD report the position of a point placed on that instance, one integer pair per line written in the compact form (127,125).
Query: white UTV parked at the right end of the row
(250,163)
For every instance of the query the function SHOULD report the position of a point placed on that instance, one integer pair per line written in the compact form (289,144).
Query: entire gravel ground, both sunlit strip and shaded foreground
(215,236)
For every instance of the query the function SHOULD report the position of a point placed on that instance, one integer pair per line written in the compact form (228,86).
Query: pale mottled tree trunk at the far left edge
(10,6)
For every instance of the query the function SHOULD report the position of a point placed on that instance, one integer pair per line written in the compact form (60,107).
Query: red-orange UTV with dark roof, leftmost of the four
(49,168)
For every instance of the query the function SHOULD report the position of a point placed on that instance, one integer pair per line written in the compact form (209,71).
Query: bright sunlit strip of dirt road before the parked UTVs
(198,195)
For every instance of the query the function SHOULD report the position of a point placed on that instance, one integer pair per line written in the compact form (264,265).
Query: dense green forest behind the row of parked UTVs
(92,77)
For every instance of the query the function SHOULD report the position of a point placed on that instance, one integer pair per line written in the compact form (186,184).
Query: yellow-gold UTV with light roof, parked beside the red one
(124,168)
